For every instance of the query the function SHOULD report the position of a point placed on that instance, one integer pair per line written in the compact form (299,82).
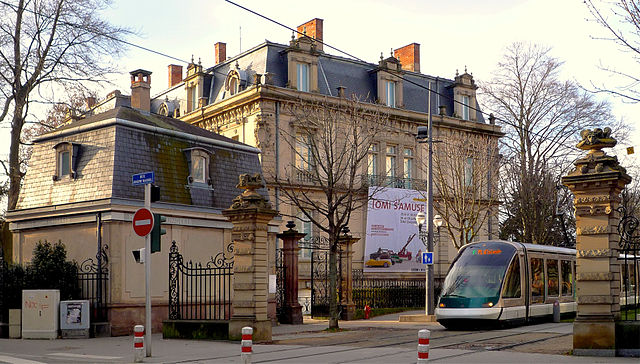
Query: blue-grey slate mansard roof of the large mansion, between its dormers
(357,77)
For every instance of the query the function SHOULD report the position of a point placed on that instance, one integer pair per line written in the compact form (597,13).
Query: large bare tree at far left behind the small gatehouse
(47,46)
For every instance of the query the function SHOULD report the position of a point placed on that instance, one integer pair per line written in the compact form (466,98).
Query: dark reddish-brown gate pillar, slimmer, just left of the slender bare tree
(292,309)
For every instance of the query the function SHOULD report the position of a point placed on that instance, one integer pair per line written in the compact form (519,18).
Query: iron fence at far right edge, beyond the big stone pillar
(630,267)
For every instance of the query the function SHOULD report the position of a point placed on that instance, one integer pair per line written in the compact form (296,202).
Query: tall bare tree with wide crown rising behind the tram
(542,117)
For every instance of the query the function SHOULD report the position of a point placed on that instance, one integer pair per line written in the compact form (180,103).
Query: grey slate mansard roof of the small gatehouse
(123,141)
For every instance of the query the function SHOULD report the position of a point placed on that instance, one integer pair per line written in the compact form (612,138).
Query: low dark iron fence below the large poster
(380,293)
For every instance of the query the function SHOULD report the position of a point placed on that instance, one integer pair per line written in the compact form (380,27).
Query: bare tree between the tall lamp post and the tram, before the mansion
(464,165)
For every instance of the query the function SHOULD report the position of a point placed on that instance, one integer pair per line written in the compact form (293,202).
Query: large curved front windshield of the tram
(478,272)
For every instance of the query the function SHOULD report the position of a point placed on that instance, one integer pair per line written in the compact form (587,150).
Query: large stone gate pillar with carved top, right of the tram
(596,183)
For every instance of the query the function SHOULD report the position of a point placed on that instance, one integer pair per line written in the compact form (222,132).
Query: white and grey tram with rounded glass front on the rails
(498,282)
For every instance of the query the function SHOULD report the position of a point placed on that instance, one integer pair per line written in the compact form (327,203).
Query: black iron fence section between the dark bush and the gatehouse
(93,279)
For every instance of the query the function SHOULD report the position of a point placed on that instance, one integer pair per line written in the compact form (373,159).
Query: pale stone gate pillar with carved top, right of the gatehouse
(250,214)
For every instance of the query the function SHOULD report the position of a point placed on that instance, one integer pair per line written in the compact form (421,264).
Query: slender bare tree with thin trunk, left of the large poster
(325,182)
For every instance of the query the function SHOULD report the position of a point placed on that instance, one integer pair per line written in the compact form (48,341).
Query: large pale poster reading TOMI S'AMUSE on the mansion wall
(392,243)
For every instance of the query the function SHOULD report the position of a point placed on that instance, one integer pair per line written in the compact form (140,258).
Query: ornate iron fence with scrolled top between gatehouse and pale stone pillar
(200,291)
